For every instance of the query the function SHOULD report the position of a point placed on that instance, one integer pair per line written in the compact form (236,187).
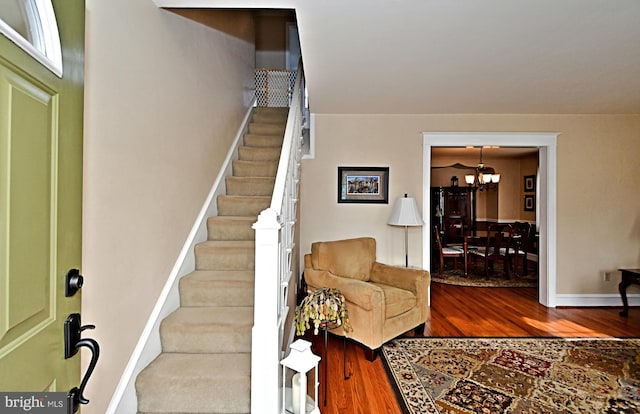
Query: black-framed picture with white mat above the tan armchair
(363,185)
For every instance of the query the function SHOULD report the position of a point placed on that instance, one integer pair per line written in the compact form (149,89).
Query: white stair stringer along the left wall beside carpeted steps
(124,399)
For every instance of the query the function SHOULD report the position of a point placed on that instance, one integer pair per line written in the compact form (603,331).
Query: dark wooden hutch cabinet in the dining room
(454,205)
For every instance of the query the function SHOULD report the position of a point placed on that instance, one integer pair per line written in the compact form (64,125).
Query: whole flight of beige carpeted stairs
(205,364)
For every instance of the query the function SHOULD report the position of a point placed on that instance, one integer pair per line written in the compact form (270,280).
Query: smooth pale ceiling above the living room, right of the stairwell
(465,56)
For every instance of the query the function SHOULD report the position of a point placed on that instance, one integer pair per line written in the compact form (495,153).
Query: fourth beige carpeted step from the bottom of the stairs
(225,255)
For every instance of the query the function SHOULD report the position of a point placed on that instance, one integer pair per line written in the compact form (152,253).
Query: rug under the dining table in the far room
(477,278)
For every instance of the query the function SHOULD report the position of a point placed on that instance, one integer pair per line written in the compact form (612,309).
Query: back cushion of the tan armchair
(351,258)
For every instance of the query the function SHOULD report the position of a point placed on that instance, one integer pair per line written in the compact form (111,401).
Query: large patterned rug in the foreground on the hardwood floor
(515,375)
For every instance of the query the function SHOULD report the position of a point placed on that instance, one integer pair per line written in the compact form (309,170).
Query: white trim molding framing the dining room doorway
(546,142)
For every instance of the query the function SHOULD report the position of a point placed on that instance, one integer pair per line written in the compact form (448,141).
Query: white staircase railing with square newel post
(274,266)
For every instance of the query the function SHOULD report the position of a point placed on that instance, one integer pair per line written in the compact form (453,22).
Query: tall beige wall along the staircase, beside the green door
(164,99)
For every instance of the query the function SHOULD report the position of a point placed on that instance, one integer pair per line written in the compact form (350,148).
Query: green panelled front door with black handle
(40,207)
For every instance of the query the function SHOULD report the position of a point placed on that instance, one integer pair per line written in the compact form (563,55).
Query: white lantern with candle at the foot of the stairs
(305,364)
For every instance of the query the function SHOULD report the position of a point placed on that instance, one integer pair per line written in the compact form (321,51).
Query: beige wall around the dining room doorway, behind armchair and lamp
(598,217)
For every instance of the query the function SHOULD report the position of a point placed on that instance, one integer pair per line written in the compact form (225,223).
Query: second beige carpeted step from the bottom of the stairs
(215,329)
